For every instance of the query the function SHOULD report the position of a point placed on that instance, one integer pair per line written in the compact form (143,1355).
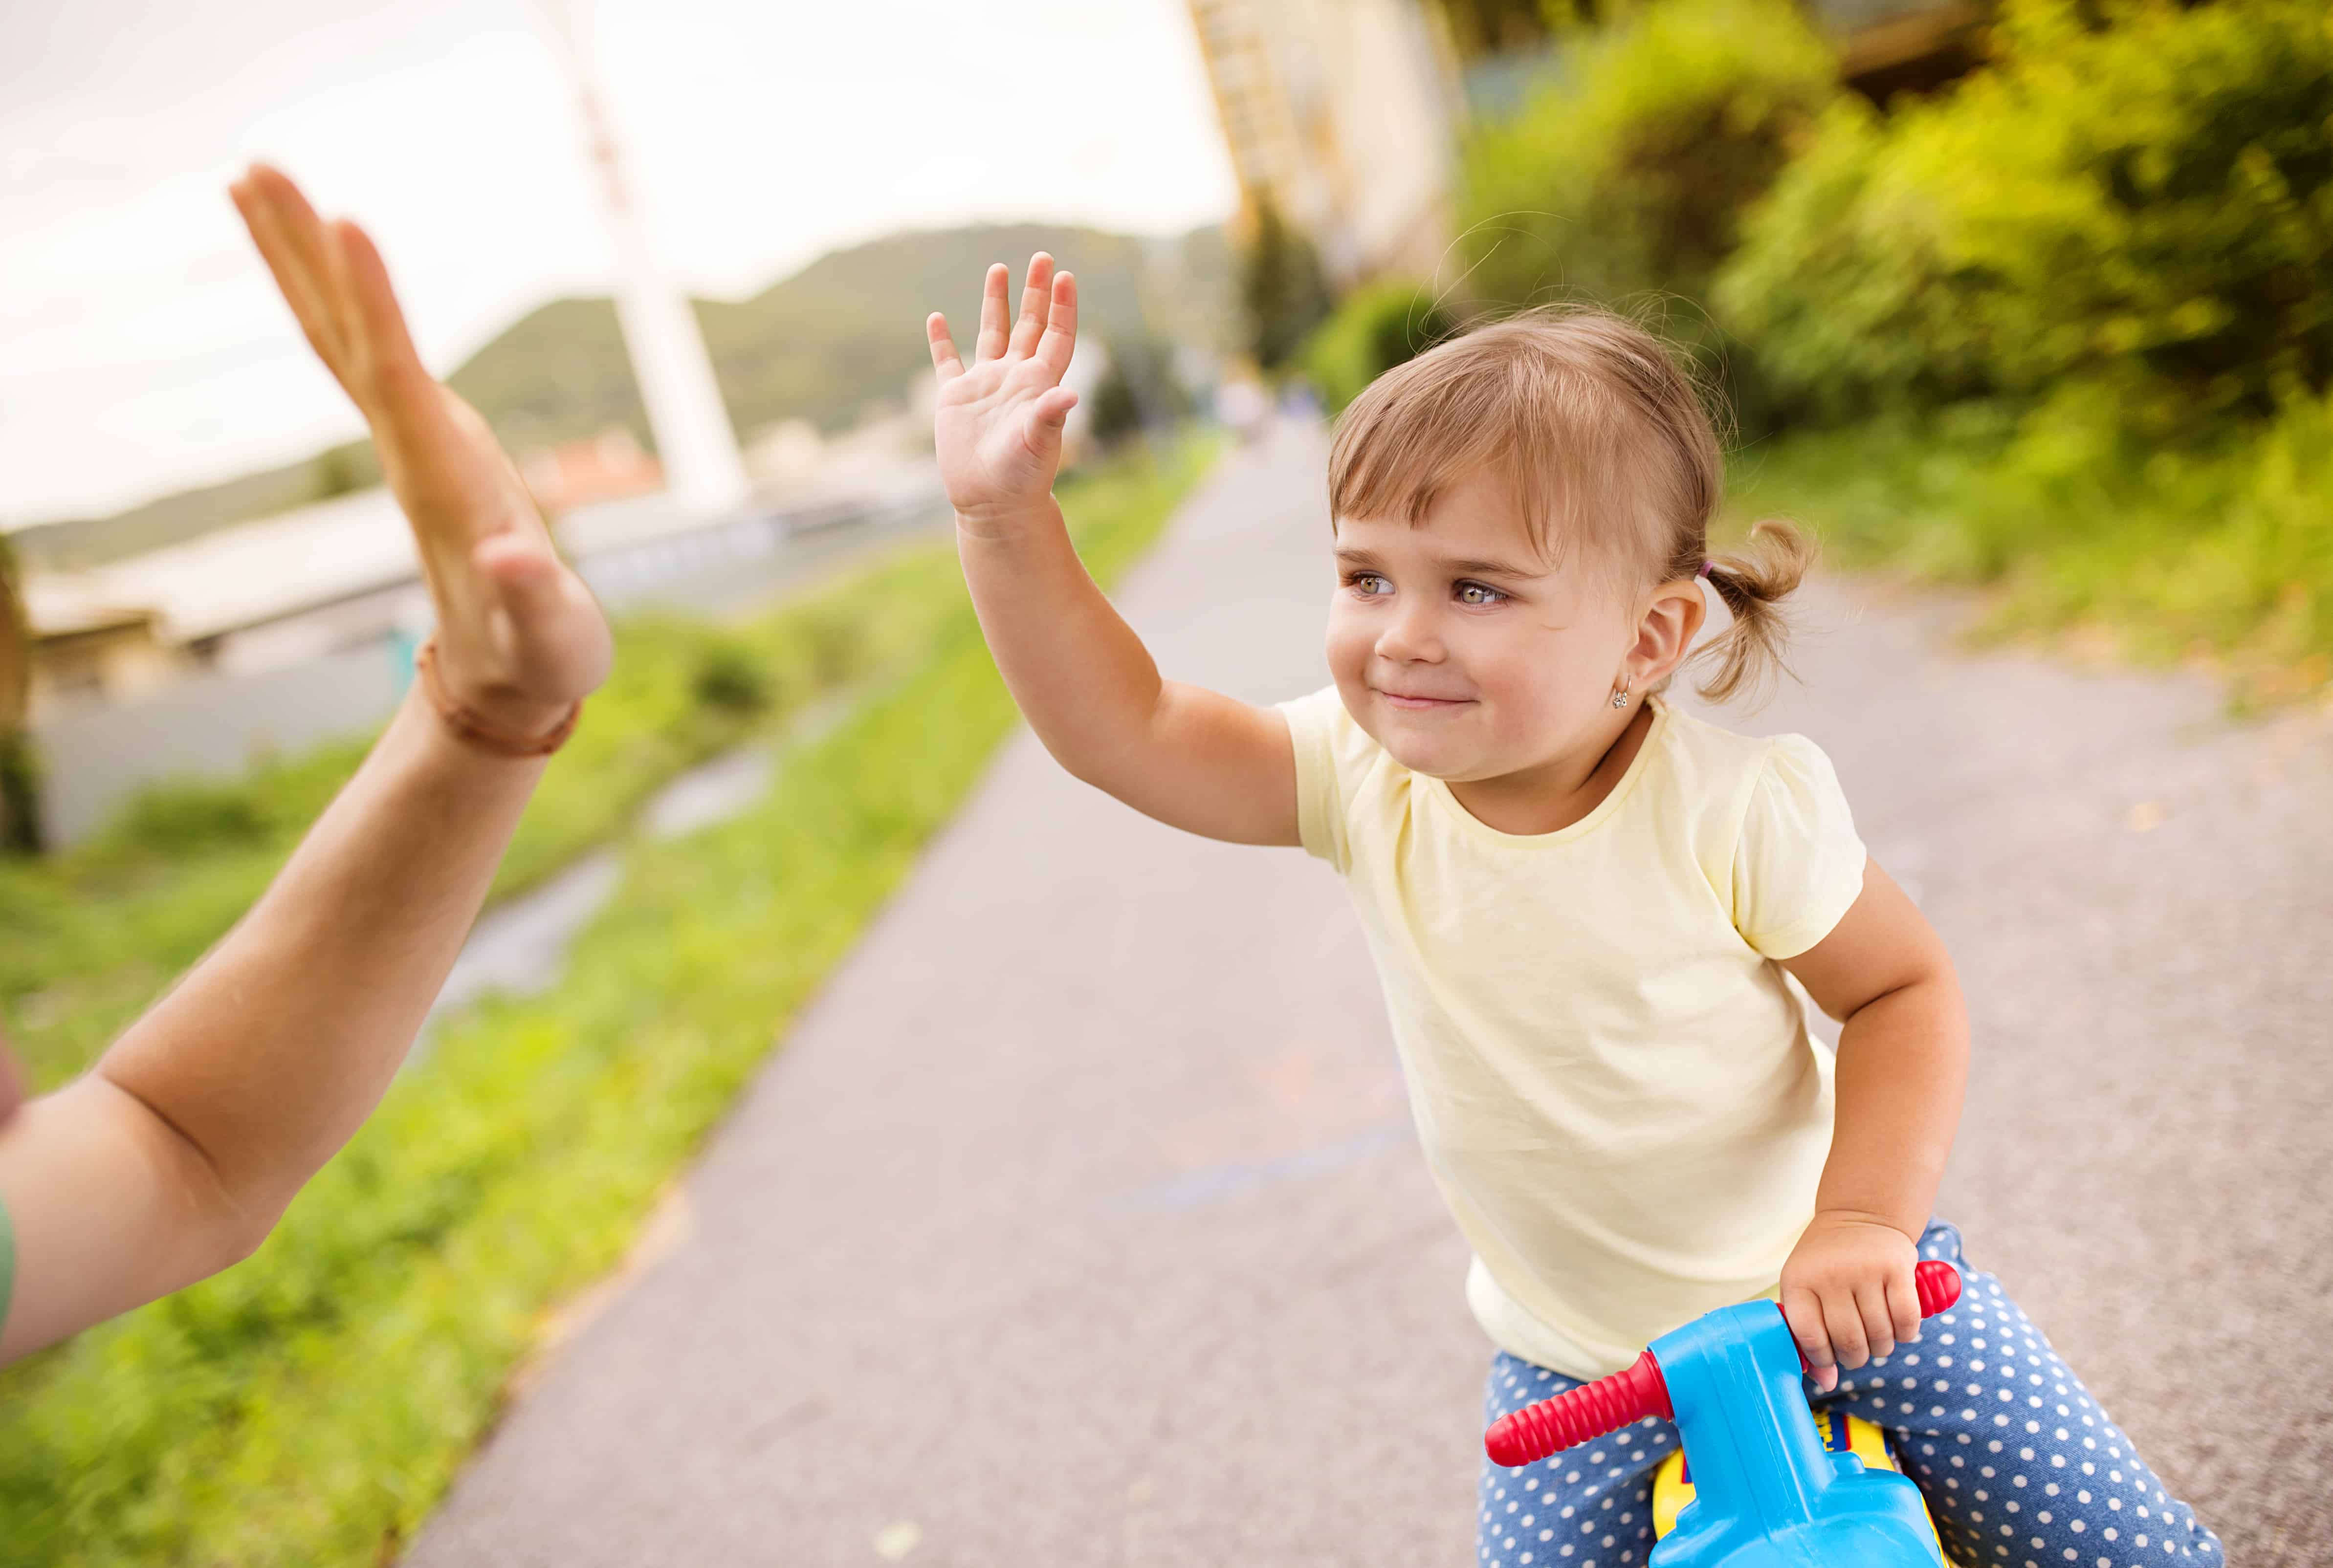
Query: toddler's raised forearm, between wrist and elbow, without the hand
(1079,673)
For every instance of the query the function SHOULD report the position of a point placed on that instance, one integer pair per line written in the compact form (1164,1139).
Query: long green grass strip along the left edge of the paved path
(314,1403)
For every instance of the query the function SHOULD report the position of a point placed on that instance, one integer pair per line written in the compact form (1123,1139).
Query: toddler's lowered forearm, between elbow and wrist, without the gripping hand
(1903,1074)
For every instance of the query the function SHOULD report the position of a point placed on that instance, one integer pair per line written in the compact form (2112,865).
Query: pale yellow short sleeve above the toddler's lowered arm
(1798,864)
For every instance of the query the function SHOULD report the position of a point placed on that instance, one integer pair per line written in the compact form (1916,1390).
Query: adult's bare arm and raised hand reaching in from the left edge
(181,1149)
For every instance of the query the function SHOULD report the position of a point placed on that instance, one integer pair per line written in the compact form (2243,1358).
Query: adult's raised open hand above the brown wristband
(519,636)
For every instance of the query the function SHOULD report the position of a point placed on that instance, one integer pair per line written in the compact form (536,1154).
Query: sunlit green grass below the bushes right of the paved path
(2220,554)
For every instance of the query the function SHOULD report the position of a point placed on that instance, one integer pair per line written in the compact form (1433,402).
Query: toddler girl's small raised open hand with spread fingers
(1000,421)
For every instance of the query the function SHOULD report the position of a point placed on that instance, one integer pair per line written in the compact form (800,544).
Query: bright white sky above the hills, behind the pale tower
(143,346)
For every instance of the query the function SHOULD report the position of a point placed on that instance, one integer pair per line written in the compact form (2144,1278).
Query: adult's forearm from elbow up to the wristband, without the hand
(281,1042)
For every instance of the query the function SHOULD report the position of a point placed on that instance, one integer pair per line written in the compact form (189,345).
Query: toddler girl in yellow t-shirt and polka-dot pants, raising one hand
(1583,906)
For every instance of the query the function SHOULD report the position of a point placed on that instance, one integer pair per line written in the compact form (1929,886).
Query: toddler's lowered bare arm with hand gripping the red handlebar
(1903,1072)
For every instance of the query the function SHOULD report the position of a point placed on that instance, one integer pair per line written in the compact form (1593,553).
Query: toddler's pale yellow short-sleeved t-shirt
(1613,1084)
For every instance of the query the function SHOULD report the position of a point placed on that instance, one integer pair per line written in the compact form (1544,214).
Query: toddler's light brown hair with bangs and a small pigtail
(1606,444)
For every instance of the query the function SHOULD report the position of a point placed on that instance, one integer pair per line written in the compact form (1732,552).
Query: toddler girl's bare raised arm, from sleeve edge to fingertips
(1191,757)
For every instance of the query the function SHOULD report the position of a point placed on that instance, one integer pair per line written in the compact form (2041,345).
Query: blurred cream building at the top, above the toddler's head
(1343,115)
